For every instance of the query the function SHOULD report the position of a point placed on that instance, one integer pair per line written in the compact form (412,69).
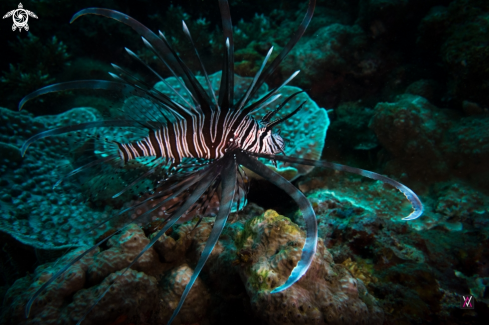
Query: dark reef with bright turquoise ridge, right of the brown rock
(408,267)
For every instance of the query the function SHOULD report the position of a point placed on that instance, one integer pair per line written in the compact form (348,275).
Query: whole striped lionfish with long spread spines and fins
(218,133)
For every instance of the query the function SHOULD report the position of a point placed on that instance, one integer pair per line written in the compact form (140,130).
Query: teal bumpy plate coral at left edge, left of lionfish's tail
(32,211)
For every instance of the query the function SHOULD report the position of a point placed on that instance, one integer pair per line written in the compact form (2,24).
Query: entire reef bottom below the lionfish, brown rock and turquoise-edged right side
(370,267)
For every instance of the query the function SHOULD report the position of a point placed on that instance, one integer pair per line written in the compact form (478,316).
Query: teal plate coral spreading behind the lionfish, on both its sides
(27,202)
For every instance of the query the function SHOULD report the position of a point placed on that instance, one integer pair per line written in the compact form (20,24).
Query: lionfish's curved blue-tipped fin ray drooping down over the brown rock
(310,244)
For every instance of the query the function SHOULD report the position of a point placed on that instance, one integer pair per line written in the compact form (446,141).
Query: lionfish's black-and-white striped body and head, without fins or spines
(203,137)
